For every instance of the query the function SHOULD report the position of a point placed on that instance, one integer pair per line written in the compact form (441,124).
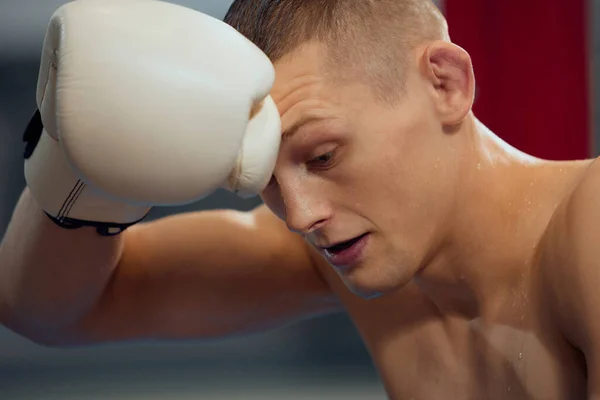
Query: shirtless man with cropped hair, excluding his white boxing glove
(469,268)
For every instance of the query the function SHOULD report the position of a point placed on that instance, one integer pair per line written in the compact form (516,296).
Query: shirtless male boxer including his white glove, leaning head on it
(469,268)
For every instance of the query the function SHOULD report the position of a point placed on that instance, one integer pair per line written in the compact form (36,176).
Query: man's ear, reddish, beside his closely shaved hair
(449,71)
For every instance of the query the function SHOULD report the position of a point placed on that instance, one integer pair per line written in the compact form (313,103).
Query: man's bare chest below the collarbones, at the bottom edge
(427,359)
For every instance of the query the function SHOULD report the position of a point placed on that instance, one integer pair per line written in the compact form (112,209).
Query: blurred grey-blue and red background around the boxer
(535,63)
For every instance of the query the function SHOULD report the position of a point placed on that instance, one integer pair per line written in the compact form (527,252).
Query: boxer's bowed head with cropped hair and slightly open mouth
(373,96)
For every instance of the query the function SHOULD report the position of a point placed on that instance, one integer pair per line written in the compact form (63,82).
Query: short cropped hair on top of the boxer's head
(368,38)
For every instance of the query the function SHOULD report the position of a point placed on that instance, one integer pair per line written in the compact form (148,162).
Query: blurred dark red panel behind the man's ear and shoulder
(531,61)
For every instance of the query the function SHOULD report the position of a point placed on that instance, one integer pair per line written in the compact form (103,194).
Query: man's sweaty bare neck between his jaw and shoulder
(487,249)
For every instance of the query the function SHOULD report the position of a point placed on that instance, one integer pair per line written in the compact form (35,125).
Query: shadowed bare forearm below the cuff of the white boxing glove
(50,277)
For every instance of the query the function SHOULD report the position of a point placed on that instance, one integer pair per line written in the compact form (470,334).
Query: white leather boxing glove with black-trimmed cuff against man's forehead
(143,103)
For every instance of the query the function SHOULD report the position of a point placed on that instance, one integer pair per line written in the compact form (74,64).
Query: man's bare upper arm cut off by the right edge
(575,282)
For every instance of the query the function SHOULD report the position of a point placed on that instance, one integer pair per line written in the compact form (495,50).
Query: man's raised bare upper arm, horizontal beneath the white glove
(209,274)
